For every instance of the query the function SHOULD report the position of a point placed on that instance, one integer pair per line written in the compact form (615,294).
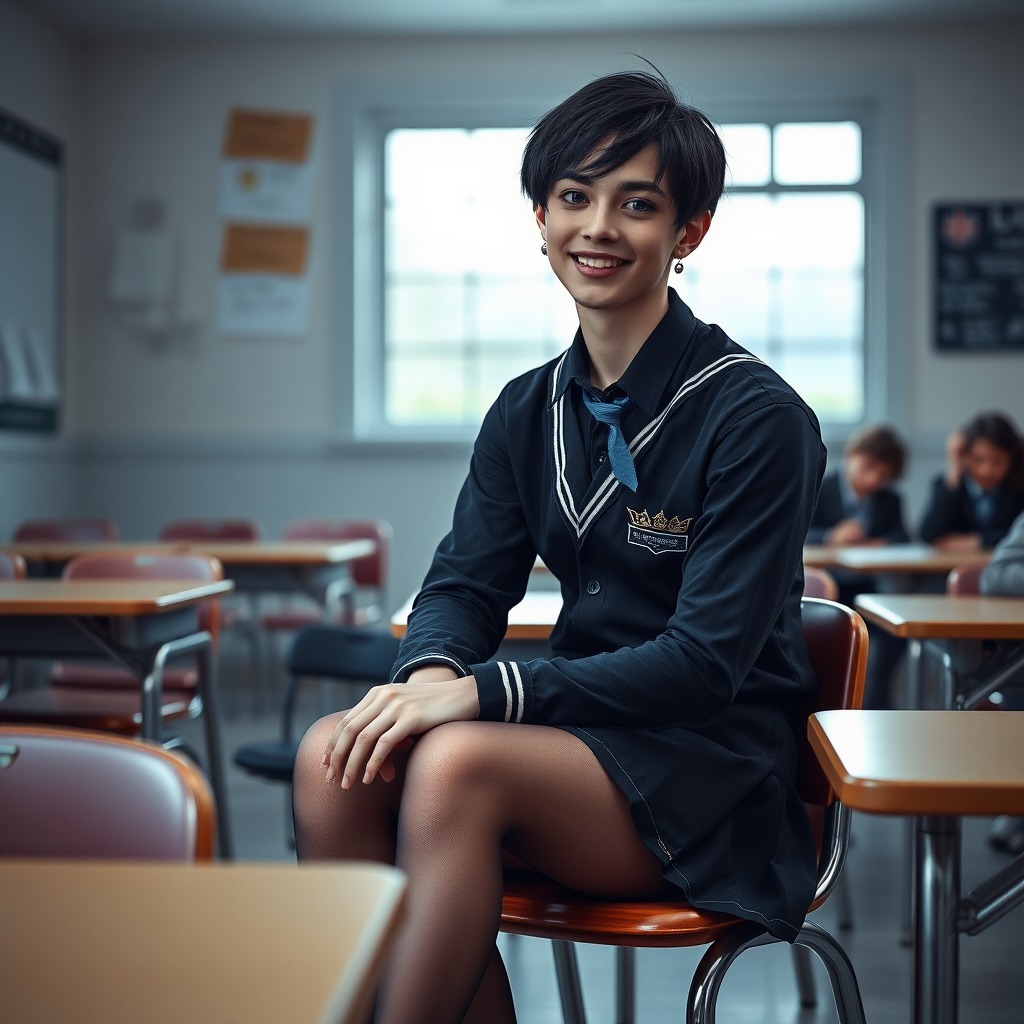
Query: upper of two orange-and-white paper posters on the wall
(267,174)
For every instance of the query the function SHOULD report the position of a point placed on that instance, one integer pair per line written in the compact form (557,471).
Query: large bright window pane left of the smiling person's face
(471,302)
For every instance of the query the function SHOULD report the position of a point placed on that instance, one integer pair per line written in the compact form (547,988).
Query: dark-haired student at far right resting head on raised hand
(975,503)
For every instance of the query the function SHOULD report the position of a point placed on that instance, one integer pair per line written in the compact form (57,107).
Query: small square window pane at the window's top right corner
(818,154)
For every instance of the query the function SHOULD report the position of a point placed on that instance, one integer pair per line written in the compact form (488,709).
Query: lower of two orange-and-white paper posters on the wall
(264,288)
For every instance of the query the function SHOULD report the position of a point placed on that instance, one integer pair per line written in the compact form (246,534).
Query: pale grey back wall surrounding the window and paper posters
(244,426)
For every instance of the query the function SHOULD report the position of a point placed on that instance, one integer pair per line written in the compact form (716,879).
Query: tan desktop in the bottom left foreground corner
(117,944)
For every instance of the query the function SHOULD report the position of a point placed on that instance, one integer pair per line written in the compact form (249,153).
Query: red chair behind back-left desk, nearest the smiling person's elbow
(368,574)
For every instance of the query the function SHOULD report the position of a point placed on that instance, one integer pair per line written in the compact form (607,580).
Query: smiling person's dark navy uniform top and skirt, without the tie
(679,656)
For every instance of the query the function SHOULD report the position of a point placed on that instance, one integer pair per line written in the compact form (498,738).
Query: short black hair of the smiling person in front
(633,110)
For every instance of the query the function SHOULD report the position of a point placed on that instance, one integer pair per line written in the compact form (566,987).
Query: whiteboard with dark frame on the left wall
(31,246)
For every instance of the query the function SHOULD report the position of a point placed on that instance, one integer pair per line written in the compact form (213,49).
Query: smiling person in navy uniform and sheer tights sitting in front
(667,478)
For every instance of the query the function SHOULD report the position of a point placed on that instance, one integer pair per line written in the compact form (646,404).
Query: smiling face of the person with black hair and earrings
(612,240)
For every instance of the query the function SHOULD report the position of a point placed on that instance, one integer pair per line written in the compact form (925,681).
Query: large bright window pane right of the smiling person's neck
(783,274)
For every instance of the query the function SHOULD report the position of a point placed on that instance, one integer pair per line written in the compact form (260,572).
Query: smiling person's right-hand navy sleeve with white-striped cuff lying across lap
(762,479)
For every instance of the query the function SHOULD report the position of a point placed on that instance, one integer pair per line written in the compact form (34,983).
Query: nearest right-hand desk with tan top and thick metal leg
(936,766)
